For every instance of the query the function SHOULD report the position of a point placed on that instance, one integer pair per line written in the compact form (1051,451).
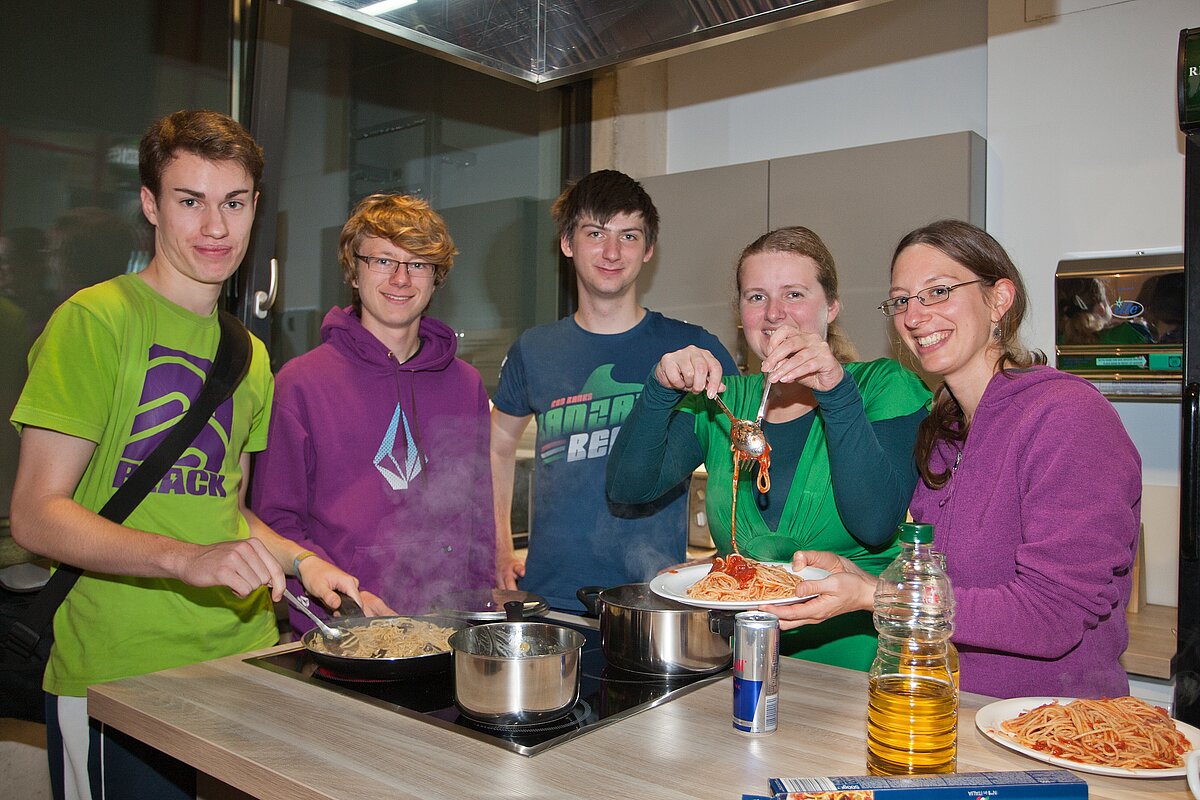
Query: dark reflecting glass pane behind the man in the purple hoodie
(365,116)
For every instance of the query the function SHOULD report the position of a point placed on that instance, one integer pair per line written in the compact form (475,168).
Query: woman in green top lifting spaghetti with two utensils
(842,434)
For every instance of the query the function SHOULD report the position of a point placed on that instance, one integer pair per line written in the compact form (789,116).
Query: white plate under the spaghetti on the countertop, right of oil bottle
(992,718)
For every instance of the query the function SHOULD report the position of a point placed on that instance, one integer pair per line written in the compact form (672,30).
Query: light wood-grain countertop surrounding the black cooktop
(278,738)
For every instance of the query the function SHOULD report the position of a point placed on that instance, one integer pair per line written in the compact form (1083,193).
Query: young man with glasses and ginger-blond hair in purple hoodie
(379,448)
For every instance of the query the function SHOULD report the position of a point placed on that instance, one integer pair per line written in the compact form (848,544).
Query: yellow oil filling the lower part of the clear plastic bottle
(911,726)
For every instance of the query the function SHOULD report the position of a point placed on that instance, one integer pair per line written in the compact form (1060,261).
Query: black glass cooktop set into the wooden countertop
(607,695)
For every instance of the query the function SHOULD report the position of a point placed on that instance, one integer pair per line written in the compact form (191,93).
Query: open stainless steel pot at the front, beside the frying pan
(517,673)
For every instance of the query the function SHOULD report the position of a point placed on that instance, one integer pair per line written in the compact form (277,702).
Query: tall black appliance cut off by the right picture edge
(1186,664)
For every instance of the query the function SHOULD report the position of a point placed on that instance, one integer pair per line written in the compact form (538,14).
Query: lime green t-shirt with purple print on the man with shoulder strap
(118,365)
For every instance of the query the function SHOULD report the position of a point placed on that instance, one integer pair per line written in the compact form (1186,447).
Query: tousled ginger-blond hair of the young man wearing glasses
(406,222)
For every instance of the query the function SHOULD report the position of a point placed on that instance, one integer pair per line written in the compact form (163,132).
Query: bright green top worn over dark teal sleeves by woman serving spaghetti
(811,520)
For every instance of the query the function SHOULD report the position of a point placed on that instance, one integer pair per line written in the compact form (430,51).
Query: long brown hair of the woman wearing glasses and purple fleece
(975,250)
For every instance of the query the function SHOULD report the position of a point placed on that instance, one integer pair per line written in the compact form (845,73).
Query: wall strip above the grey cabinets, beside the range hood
(903,70)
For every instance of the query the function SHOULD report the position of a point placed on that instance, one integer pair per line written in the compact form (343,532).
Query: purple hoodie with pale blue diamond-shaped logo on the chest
(383,468)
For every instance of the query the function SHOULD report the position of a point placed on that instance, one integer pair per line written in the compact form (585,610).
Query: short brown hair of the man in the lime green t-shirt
(208,135)
